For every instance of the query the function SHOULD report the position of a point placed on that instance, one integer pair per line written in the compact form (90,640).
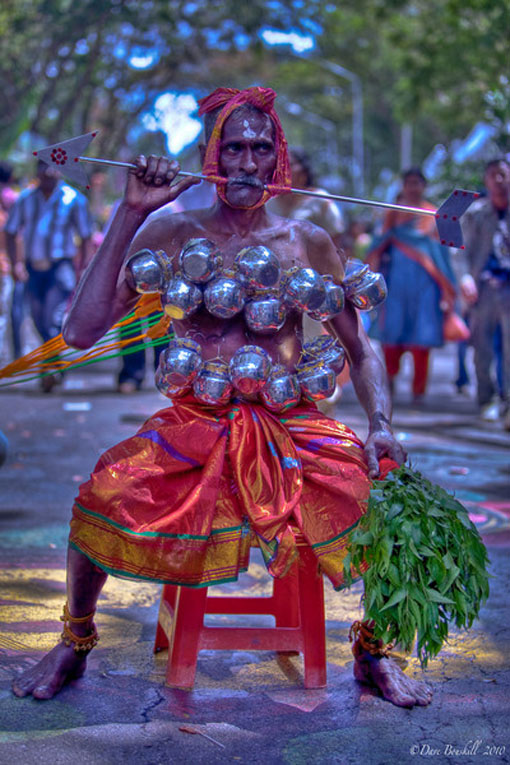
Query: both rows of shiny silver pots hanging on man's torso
(256,284)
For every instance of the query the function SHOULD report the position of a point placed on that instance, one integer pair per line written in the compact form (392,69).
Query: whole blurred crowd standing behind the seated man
(49,231)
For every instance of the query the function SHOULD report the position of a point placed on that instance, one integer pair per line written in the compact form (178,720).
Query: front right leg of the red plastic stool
(311,604)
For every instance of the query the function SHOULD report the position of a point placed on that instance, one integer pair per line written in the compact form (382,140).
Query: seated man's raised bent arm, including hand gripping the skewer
(103,296)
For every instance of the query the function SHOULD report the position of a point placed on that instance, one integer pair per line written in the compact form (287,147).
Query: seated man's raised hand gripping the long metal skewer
(148,186)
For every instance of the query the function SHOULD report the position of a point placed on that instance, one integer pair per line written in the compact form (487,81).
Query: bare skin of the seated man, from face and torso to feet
(247,159)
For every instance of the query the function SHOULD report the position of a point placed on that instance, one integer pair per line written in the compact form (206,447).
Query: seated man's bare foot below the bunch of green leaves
(386,675)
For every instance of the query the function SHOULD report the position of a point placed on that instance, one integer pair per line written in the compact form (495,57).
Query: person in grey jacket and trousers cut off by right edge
(485,286)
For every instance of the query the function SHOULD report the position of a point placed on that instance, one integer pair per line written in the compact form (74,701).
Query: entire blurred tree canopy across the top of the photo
(441,65)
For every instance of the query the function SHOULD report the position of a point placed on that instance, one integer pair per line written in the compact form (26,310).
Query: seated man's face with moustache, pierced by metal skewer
(247,156)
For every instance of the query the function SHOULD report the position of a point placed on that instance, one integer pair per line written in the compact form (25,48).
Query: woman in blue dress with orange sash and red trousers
(420,280)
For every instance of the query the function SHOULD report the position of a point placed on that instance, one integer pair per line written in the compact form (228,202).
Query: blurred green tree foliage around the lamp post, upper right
(440,65)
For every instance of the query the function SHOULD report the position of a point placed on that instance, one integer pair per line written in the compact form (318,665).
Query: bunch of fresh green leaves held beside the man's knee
(427,565)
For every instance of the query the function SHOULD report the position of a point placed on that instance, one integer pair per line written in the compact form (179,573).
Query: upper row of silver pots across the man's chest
(255,284)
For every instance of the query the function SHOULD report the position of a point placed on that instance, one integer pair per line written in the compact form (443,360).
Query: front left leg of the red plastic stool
(185,639)
